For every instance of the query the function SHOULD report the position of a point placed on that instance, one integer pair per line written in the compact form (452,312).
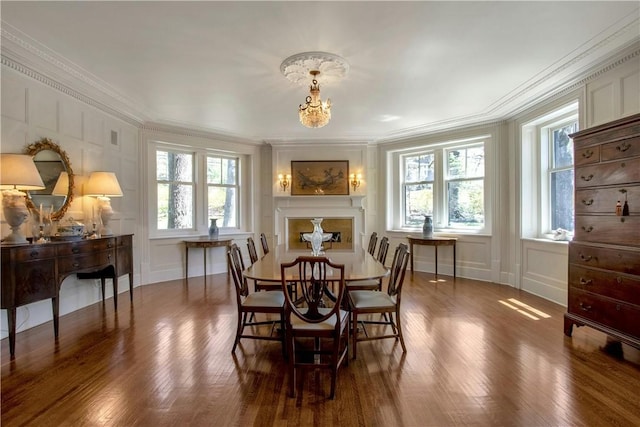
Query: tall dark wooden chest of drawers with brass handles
(604,256)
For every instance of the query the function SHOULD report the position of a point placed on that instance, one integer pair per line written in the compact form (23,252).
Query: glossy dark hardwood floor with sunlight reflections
(479,354)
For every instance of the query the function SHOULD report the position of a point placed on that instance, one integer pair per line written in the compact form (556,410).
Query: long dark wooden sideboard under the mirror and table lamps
(35,272)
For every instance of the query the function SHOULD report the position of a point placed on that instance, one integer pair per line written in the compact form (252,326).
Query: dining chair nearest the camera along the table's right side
(366,302)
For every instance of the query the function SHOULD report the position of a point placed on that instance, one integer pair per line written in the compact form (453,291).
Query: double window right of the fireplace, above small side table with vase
(455,201)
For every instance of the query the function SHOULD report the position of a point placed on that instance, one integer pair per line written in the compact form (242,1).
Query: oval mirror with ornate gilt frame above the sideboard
(51,161)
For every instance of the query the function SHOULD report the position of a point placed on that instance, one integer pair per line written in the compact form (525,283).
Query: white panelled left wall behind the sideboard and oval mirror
(32,110)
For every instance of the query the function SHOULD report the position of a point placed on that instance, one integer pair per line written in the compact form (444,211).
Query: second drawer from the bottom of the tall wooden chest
(607,283)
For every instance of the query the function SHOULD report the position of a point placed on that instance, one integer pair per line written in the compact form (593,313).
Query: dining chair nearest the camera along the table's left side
(252,303)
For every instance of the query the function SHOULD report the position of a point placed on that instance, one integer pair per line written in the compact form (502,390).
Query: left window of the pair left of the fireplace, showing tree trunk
(175,189)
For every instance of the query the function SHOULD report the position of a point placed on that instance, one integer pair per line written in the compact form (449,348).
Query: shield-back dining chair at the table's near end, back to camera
(316,331)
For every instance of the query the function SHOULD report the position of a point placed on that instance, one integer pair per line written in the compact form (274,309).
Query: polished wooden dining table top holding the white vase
(358,264)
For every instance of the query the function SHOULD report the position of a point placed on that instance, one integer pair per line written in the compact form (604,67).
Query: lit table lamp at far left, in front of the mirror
(17,172)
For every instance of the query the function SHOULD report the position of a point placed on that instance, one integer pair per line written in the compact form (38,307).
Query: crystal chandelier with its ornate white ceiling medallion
(314,113)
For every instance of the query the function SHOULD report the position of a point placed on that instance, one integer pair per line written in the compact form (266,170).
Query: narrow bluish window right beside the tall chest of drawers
(560,175)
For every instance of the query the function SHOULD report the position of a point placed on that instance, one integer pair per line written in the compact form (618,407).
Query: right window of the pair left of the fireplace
(222,190)
